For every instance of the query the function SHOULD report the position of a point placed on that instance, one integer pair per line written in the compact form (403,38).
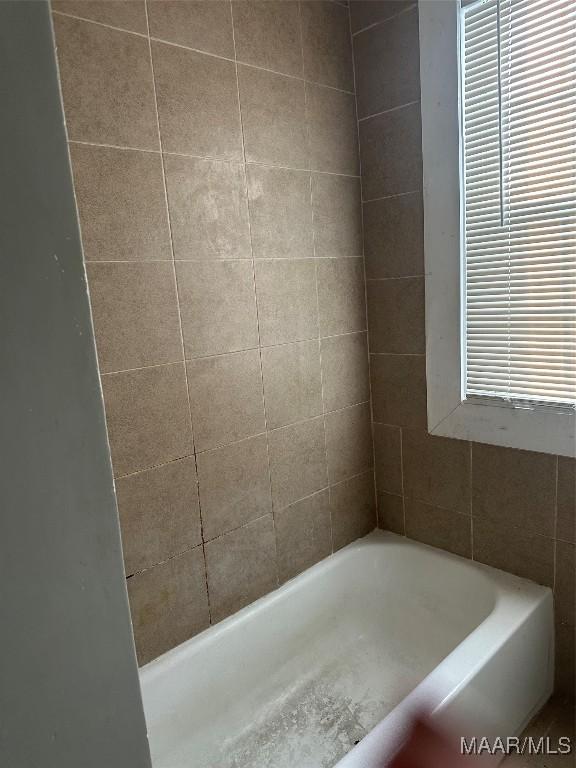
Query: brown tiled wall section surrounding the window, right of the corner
(511,509)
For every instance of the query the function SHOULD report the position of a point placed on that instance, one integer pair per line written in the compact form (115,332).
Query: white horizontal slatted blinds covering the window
(518,97)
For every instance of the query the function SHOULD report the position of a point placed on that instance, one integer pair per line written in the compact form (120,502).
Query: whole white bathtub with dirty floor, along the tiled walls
(326,669)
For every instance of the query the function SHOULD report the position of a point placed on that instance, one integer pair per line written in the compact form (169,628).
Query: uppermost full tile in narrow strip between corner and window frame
(388,62)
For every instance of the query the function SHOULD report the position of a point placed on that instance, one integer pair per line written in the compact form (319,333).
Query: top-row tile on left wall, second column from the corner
(268,34)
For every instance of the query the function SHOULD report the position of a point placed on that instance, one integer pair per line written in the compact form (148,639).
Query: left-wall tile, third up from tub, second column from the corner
(292,383)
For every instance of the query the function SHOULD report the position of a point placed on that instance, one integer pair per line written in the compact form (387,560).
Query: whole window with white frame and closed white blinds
(499,151)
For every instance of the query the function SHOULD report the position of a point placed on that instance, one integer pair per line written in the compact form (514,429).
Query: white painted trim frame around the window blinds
(523,425)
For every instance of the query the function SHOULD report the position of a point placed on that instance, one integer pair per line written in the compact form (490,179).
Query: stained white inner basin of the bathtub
(299,677)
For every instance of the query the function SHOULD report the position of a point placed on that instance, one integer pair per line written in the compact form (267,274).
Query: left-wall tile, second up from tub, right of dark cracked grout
(234,485)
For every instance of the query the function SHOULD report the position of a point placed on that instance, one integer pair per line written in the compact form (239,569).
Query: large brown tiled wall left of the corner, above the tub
(214,150)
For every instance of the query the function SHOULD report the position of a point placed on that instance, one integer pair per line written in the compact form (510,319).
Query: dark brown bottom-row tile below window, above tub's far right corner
(514,550)
